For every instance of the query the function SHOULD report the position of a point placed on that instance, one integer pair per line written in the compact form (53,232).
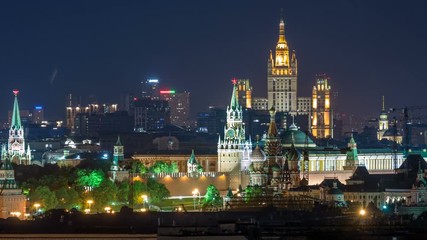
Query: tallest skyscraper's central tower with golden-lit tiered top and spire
(282,76)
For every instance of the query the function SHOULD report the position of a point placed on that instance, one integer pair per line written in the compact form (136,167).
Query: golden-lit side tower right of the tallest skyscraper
(322,120)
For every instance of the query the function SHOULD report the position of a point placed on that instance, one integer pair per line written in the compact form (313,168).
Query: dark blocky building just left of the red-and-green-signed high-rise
(151,114)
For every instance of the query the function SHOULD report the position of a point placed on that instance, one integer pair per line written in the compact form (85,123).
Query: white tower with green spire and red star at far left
(16,151)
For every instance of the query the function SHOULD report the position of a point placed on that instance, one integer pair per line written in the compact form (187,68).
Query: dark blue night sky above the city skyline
(104,48)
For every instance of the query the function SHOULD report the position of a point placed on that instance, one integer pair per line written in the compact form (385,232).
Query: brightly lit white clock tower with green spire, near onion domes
(234,150)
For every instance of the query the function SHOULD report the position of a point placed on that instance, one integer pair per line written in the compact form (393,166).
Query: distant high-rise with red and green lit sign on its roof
(179,104)
